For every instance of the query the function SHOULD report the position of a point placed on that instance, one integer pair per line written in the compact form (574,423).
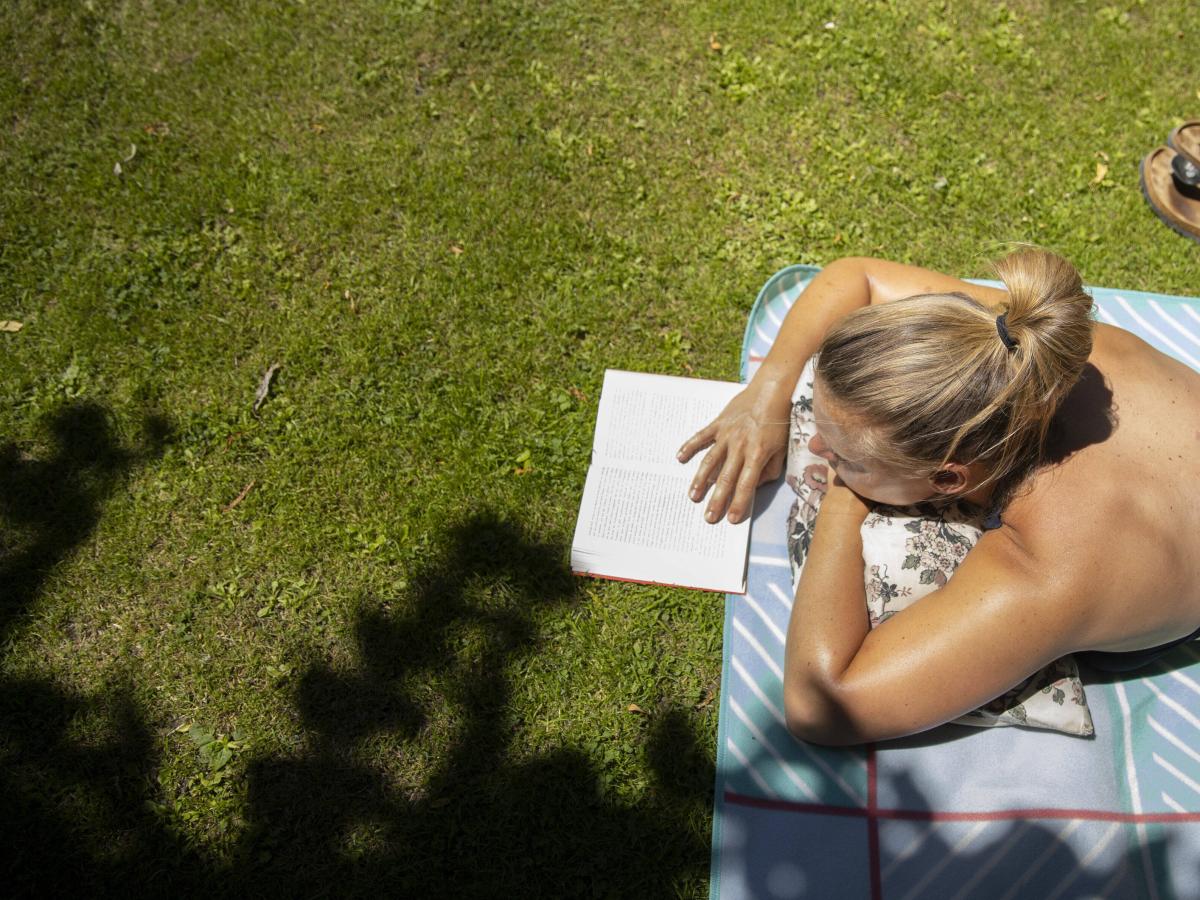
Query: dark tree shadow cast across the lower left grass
(484,817)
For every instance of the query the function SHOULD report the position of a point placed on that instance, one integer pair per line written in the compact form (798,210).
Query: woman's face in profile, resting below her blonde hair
(836,443)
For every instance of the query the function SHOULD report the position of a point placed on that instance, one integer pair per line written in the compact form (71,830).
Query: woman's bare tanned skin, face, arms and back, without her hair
(1099,550)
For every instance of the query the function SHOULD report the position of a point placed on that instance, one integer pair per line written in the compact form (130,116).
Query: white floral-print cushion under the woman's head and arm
(910,553)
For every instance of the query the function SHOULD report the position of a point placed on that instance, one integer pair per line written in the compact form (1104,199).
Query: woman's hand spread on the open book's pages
(749,448)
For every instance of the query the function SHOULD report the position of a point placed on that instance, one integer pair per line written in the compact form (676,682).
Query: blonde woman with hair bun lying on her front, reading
(1079,439)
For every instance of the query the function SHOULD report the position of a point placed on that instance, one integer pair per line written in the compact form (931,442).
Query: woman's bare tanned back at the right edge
(1117,514)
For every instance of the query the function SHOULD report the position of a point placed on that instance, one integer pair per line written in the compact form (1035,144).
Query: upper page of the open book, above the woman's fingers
(646,418)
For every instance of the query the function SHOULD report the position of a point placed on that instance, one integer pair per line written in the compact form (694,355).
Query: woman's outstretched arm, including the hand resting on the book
(749,439)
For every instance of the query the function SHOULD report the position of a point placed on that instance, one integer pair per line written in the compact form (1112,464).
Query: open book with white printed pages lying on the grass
(637,523)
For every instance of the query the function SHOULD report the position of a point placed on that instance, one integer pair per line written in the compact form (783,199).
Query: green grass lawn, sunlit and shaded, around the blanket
(445,221)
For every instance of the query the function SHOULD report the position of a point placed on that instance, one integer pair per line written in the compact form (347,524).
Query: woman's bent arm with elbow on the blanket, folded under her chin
(998,621)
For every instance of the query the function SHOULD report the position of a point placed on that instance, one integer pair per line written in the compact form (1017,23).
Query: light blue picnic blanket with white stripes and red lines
(957,812)
